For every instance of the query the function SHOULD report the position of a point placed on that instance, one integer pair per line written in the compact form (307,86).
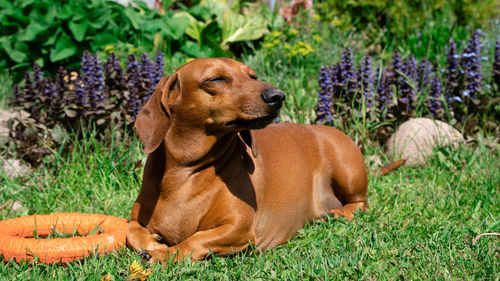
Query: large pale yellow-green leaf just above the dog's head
(236,27)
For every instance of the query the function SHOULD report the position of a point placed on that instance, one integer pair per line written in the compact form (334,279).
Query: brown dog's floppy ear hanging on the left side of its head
(151,122)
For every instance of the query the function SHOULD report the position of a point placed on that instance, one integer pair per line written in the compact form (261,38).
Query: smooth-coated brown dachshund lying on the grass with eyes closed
(214,183)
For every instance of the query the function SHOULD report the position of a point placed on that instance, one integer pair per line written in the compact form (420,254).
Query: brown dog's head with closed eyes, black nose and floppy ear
(217,95)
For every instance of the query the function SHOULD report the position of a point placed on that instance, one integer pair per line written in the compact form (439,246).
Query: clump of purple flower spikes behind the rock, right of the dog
(410,88)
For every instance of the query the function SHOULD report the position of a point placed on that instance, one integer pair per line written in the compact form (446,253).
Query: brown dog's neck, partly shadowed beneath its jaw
(192,148)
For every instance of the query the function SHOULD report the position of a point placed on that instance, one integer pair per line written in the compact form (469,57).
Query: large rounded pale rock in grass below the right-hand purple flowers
(415,139)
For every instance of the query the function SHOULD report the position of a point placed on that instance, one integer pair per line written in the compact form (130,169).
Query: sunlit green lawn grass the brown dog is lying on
(420,224)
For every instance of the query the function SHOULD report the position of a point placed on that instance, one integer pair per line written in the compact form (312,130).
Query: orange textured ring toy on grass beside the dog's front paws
(17,242)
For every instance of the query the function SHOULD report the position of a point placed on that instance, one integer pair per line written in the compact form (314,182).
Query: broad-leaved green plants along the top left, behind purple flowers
(52,33)
